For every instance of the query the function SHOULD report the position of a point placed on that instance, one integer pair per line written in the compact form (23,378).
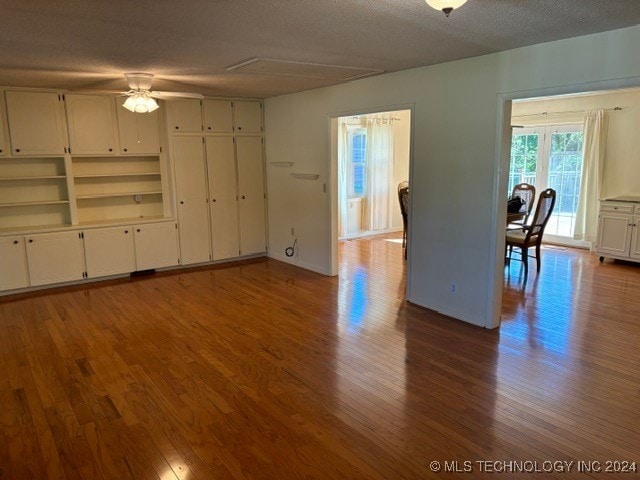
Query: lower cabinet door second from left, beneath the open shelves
(55,257)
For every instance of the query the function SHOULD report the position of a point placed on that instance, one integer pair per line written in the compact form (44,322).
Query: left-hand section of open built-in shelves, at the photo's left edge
(33,193)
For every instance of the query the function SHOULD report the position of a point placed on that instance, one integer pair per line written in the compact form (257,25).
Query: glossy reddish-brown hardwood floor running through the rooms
(264,370)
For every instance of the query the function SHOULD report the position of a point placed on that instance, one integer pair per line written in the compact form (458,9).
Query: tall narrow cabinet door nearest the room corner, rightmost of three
(251,191)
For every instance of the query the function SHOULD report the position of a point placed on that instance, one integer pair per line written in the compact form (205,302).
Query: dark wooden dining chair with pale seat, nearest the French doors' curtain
(529,236)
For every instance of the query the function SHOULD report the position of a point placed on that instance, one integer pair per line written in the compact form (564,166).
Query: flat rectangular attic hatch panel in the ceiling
(288,68)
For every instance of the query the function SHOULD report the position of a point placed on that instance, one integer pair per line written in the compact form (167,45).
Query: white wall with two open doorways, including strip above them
(454,201)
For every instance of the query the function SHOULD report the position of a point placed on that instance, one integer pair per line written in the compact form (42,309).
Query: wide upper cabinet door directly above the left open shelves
(36,123)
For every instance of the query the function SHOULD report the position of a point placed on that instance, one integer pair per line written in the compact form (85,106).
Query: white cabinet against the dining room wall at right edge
(619,230)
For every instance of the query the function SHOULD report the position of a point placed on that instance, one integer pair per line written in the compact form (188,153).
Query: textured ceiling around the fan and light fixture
(188,45)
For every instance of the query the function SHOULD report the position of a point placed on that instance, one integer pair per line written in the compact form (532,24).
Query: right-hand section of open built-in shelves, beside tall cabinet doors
(111,189)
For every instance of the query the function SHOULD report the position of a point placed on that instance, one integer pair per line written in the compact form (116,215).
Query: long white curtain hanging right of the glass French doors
(594,145)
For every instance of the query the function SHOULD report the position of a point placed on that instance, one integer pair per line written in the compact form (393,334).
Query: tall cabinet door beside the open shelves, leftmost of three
(191,192)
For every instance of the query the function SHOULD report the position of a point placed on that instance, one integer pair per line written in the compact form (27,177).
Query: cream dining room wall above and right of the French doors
(622,158)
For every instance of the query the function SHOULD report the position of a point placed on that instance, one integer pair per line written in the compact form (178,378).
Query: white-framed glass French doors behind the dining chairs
(550,157)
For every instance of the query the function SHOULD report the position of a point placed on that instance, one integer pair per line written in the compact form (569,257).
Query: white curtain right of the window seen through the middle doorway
(379,172)
